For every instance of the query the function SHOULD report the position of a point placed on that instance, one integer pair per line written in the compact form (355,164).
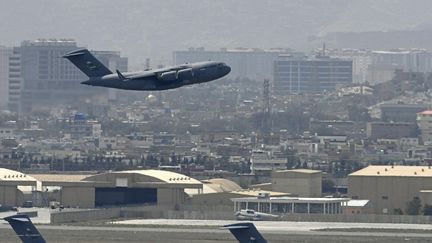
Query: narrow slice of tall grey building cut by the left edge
(5,53)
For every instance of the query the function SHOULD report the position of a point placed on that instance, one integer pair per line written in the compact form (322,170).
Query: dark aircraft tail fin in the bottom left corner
(25,229)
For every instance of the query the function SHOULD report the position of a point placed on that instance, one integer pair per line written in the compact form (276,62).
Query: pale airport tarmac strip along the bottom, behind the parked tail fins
(209,231)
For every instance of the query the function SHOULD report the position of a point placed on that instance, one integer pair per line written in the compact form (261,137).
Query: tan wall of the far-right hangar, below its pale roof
(387,193)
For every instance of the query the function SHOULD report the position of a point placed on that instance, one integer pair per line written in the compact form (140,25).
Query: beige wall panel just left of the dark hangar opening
(83,197)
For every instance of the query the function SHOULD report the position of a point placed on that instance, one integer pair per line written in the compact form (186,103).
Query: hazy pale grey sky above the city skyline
(141,28)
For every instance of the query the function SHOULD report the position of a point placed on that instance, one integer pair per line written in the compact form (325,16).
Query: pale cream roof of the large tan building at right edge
(397,170)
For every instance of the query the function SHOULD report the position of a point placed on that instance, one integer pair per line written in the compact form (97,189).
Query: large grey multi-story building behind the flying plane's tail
(49,79)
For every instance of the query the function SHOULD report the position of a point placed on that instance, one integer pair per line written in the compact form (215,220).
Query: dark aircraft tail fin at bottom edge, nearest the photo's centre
(246,233)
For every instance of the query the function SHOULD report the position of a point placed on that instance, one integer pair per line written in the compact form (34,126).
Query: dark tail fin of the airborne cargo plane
(87,63)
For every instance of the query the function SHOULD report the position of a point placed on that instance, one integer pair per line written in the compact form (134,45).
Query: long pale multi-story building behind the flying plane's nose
(254,64)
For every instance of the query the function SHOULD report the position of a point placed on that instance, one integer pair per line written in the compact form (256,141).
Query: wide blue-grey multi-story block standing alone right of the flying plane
(310,75)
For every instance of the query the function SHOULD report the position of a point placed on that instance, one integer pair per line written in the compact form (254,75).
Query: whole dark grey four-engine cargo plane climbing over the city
(157,79)
